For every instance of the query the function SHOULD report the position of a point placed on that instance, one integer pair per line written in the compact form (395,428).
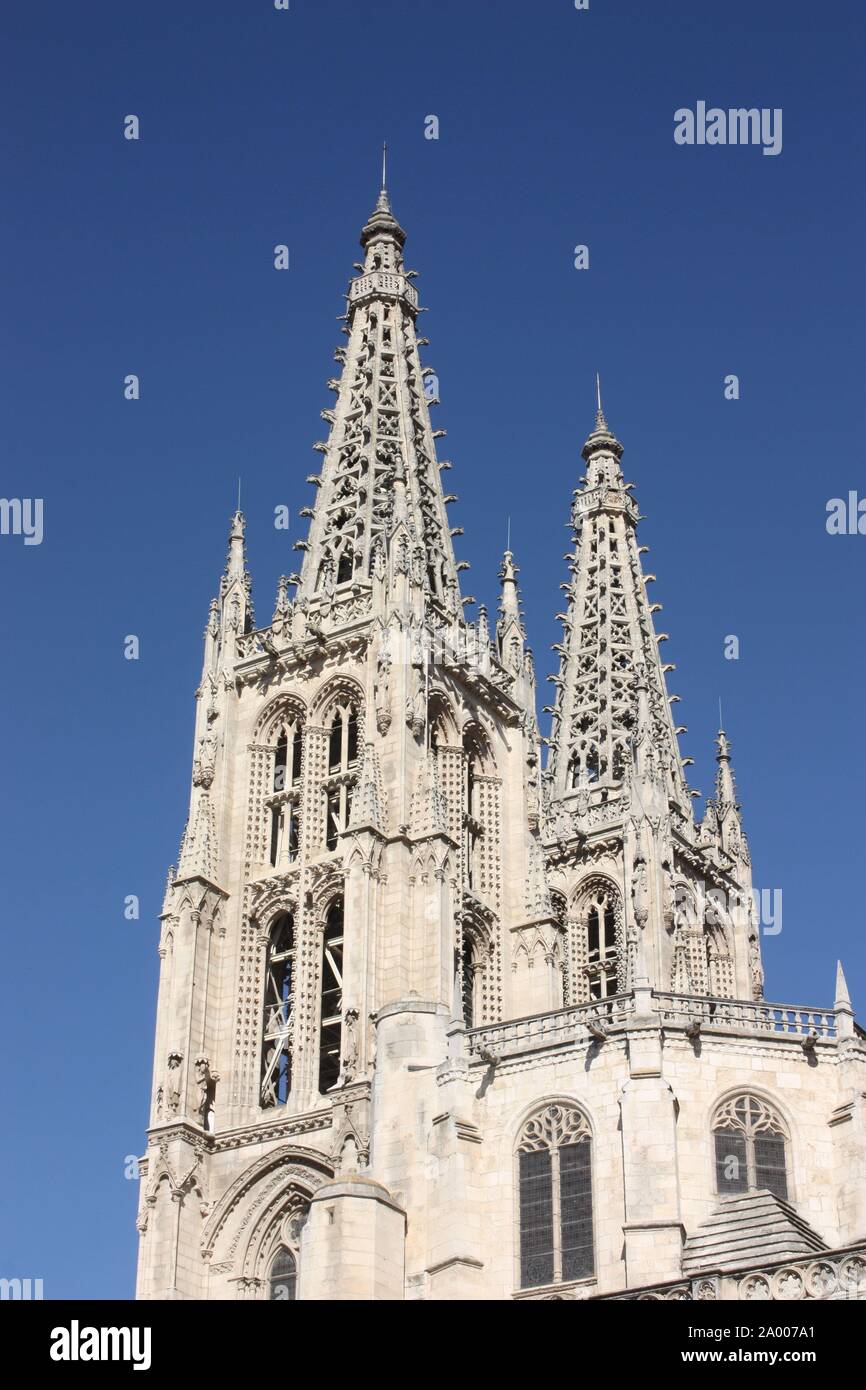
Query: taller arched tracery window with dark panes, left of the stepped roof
(555,1197)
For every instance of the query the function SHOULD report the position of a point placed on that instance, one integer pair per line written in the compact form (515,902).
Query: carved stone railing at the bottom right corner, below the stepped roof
(833,1275)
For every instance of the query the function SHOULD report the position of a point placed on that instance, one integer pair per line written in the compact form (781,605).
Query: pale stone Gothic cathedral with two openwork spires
(447,1010)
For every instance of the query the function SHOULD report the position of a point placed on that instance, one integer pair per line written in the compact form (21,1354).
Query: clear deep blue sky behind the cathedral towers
(156,258)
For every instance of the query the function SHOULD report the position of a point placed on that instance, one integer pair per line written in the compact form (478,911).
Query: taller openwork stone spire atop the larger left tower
(380,471)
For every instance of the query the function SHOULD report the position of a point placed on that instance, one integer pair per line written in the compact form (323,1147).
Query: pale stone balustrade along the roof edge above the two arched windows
(673,1011)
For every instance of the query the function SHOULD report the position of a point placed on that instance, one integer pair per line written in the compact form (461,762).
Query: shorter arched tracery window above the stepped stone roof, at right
(750,1147)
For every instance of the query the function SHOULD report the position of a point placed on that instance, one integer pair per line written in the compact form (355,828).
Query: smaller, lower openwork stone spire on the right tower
(612,705)
